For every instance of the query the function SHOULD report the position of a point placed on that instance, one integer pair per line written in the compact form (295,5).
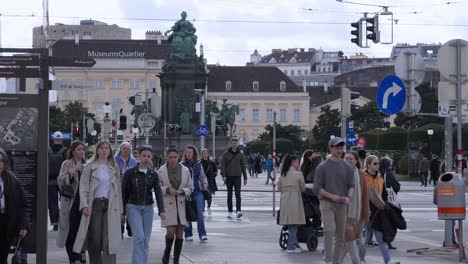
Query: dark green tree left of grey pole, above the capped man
(328,123)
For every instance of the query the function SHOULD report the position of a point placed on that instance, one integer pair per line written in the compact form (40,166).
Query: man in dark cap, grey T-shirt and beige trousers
(334,184)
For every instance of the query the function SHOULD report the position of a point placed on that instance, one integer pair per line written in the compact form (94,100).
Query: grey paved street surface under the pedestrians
(254,239)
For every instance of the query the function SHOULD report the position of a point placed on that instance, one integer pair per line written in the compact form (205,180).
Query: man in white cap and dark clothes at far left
(57,154)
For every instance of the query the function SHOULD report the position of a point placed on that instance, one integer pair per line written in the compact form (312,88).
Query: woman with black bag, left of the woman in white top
(70,215)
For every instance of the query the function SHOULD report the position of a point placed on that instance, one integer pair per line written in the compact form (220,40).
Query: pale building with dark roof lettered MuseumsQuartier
(123,69)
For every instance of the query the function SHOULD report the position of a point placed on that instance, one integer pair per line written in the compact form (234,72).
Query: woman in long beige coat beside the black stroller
(291,185)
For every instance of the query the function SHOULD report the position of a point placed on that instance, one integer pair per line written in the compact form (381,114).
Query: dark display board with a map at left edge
(19,138)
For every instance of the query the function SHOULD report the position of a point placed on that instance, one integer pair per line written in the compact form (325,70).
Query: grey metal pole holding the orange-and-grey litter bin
(459,47)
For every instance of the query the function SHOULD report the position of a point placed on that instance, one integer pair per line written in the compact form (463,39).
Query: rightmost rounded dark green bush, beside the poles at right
(437,140)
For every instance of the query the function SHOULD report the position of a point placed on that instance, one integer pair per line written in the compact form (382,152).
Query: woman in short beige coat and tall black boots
(176,184)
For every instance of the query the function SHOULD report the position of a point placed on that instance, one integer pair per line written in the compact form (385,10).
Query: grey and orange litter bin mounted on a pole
(451,197)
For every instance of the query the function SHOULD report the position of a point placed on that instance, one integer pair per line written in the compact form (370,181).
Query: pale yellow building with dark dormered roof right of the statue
(259,92)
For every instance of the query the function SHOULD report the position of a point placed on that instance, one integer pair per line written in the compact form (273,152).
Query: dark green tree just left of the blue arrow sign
(369,117)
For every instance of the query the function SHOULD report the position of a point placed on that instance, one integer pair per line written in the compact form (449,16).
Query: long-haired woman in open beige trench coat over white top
(101,206)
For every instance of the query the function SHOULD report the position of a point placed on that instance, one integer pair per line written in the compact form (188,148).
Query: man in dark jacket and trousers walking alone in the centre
(232,168)
